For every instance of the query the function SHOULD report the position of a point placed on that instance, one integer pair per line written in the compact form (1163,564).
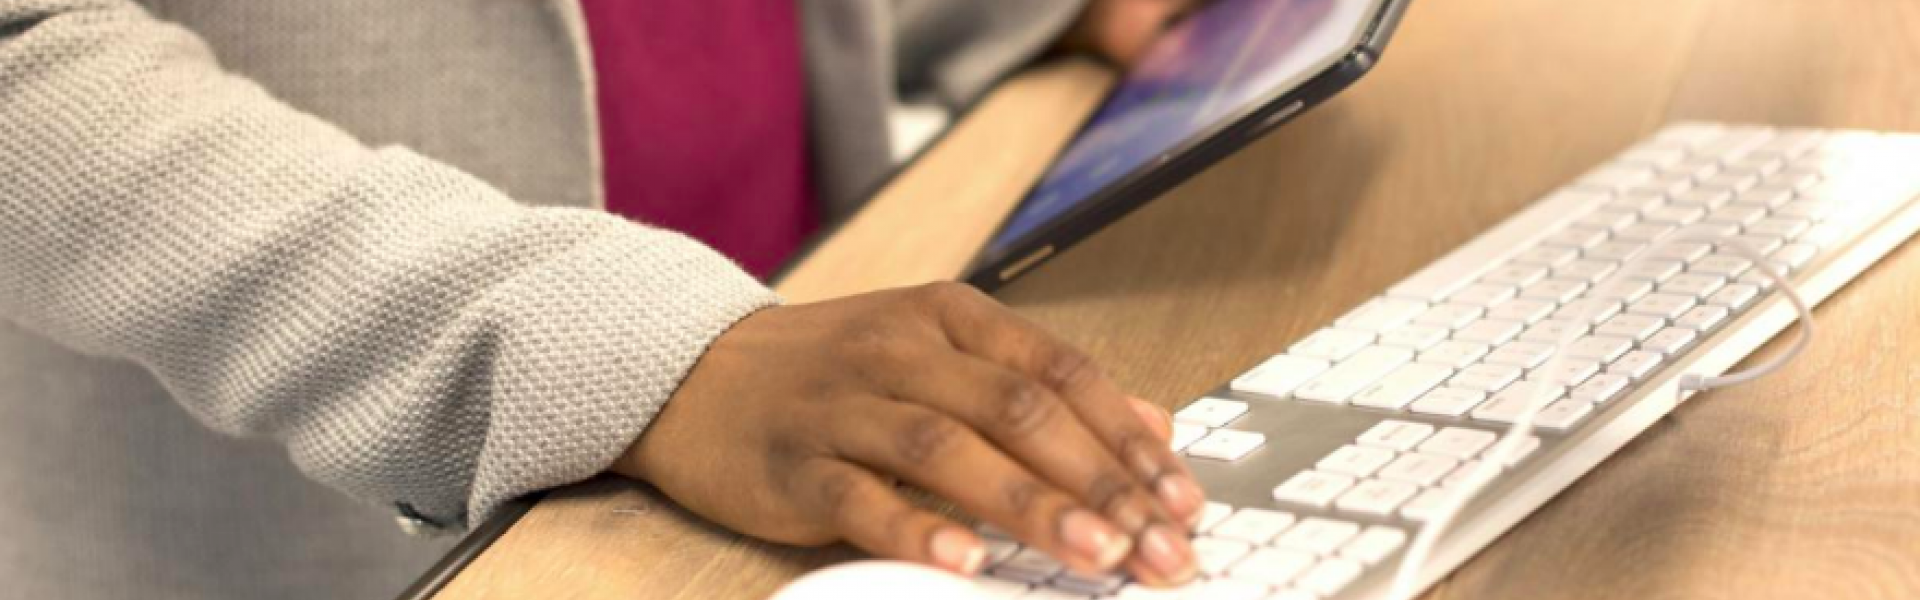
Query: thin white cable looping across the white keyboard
(1524,426)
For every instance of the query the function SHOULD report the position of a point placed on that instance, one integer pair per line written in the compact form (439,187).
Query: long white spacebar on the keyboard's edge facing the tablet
(1495,247)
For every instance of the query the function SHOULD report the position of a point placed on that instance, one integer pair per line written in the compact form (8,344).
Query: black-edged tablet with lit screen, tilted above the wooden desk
(1212,84)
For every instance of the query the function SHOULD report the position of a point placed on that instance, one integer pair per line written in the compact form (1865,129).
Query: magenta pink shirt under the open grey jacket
(704,122)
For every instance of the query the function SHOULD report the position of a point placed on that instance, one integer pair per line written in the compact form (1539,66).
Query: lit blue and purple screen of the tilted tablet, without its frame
(1203,74)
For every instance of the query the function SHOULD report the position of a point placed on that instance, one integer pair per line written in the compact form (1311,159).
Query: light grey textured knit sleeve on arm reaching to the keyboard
(410,334)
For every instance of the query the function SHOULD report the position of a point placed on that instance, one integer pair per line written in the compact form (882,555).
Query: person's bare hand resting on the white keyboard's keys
(800,420)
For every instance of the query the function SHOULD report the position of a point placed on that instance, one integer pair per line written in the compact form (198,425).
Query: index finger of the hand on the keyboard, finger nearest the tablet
(980,326)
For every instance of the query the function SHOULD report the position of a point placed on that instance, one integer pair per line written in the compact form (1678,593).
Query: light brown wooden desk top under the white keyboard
(1806,486)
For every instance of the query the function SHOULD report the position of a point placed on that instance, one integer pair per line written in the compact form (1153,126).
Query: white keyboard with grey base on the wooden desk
(1406,393)
